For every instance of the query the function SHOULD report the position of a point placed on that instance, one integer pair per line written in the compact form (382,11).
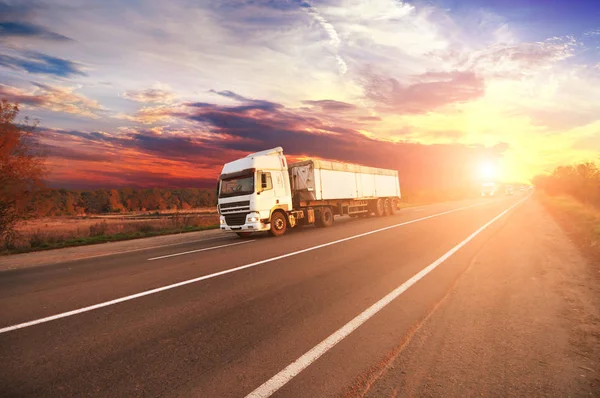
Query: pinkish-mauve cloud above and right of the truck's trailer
(426,92)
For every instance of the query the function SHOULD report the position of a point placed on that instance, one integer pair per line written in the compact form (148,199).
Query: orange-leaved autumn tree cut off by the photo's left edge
(21,167)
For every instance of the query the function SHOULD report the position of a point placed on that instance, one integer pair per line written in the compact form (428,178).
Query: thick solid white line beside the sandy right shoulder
(292,370)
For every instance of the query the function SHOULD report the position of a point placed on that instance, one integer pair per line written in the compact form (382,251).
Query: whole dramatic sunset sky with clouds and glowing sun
(146,93)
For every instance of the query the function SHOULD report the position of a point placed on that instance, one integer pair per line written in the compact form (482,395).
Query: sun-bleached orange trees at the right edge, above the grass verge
(581,181)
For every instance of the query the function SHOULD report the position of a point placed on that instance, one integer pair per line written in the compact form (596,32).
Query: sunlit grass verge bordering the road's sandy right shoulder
(581,221)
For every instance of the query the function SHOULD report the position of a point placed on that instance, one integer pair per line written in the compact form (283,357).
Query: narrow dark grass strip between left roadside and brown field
(104,238)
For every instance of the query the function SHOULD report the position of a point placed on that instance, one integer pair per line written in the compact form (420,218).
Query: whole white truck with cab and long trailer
(262,192)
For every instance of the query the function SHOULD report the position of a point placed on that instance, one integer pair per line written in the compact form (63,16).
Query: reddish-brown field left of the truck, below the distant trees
(55,232)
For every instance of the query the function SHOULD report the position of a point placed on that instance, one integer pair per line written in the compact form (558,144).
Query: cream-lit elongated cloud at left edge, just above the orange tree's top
(57,99)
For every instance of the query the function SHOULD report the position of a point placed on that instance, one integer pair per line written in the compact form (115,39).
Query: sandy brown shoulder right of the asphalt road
(523,320)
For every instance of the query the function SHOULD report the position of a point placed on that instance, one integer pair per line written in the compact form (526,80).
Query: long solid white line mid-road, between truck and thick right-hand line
(228,271)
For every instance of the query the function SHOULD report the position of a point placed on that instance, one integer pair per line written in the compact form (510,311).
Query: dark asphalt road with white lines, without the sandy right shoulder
(222,317)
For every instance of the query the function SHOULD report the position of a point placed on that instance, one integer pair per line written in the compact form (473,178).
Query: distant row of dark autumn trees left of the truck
(64,202)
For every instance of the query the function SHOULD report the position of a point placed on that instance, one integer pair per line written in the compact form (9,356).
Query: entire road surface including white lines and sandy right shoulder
(454,299)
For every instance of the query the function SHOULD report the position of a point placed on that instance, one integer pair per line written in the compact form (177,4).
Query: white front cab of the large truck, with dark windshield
(251,189)
